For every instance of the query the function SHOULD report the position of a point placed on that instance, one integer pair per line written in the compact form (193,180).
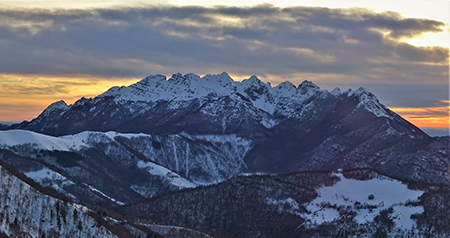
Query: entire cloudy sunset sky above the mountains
(52,50)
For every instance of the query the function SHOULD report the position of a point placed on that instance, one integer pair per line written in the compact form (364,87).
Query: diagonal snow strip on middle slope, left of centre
(173,177)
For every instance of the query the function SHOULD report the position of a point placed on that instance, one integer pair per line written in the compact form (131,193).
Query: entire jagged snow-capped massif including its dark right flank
(287,128)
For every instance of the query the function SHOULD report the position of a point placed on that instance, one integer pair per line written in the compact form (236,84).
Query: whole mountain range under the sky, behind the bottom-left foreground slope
(170,143)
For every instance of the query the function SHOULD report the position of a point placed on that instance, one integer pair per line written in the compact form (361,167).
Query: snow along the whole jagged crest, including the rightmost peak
(180,89)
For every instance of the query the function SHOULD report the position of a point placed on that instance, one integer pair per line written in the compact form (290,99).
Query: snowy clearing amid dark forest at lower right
(366,199)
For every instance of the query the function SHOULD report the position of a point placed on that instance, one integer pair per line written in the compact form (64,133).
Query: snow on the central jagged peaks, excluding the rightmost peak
(180,88)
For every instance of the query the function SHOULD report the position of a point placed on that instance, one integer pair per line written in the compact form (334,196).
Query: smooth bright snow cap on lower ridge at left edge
(40,141)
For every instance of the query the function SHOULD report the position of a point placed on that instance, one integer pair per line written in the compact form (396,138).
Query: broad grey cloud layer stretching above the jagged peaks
(263,40)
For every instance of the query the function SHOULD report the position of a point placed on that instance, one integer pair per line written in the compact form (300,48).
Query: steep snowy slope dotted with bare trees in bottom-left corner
(28,213)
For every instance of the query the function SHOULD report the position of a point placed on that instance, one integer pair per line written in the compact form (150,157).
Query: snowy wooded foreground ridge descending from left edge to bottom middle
(26,212)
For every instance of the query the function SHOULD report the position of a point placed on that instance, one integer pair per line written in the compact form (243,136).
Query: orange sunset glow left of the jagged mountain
(24,97)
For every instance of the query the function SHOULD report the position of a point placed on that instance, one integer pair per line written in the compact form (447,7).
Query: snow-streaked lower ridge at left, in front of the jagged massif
(139,163)
